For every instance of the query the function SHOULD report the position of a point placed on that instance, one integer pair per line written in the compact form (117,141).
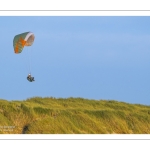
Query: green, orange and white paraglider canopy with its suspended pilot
(19,42)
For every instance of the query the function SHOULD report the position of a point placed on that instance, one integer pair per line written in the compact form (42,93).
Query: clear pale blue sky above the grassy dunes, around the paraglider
(90,57)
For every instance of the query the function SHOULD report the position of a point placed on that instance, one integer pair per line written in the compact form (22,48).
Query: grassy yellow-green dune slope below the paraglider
(73,116)
